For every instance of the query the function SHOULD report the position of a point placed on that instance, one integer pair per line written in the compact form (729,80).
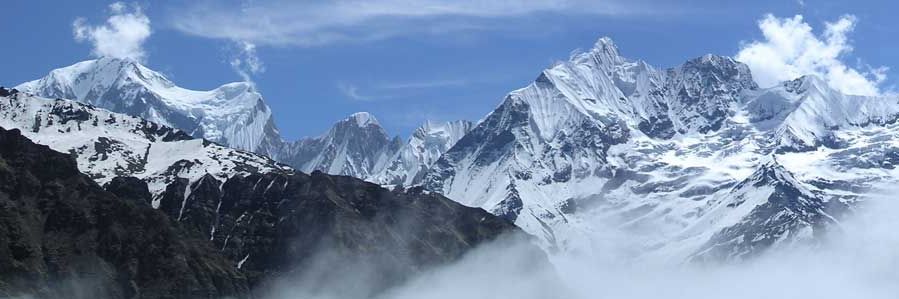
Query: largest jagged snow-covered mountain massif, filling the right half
(601,141)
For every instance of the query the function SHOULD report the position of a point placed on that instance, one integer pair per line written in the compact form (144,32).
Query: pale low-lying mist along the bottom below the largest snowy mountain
(858,259)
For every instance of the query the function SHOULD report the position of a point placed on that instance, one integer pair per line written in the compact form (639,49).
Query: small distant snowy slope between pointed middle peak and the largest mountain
(427,143)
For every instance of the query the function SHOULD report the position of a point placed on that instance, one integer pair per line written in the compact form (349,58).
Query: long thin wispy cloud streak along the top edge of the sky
(301,23)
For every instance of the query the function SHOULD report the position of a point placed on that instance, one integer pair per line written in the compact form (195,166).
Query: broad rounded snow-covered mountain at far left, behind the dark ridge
(233,114)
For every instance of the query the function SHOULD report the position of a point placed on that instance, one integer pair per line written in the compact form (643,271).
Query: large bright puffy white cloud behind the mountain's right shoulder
(791,49)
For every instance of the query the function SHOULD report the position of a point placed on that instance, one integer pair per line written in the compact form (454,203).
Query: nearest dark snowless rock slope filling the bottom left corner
(62,236)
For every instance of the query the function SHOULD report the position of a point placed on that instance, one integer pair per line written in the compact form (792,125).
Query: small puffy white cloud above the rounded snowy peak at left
(122,36)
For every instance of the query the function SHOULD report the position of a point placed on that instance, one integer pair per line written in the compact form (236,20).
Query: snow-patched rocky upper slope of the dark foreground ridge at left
(108,144)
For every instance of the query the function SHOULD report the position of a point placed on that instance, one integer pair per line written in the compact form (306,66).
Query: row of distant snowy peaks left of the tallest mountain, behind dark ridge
(235,115)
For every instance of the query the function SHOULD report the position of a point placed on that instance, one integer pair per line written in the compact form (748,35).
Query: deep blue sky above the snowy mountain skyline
(407,61)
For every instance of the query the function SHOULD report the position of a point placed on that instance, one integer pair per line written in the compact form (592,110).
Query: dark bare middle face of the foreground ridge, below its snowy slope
(273,224)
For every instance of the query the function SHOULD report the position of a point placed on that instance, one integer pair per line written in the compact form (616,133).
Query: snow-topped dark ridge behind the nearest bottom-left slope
(267,220)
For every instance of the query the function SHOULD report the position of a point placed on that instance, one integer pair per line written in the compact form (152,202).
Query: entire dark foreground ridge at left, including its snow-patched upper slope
(180,217)
